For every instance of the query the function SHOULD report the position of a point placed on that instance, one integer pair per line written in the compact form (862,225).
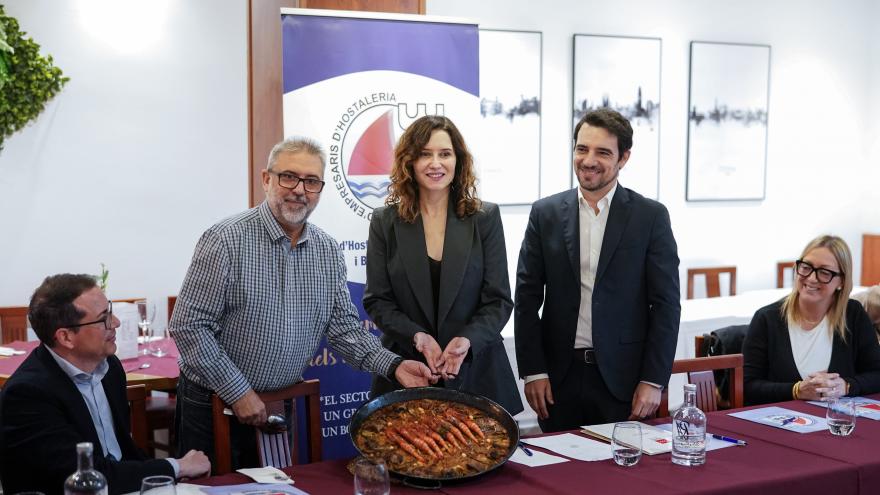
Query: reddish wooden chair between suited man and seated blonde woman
(700,373)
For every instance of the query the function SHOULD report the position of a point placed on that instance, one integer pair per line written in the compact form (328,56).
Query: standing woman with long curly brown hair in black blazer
(437,281)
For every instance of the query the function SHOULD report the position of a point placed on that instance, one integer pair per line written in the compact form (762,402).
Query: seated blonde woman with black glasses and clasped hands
(816,343)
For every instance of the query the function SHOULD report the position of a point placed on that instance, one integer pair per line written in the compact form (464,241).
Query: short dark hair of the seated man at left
(52,306)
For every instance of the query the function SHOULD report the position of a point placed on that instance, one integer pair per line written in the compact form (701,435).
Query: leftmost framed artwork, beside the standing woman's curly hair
(507,152)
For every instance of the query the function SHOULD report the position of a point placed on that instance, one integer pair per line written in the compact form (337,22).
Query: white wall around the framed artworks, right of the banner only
(824,55)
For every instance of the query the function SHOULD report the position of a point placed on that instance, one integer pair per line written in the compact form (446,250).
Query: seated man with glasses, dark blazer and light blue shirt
(71,389)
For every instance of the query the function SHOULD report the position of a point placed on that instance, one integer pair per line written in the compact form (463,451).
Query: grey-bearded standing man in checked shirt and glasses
(264,287)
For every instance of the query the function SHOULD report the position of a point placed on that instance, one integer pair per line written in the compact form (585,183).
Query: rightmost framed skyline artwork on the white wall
(727,121)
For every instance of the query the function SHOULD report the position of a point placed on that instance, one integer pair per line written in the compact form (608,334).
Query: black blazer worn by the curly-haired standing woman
(474,300)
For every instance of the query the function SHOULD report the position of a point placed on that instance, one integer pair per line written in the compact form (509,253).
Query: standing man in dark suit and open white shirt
(602,261)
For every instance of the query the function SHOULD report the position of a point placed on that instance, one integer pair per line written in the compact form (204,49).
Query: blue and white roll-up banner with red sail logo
(354,81)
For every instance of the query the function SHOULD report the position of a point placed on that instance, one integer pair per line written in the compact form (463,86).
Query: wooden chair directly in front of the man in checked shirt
(310,390)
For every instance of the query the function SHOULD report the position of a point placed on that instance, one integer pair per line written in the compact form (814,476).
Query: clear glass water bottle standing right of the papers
(689,431)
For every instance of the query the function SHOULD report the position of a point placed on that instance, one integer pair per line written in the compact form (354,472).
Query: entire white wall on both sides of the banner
(147,144)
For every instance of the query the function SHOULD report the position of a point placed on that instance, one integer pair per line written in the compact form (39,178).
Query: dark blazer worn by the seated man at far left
(43,416)
